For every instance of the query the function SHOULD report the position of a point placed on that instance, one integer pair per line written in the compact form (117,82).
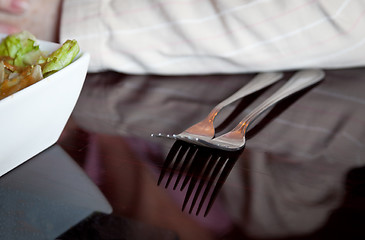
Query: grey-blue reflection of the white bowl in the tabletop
(45,196)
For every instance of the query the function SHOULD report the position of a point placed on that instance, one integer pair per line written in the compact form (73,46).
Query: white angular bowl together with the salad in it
(40,83)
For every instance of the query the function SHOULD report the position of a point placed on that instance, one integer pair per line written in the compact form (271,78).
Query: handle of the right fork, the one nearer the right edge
(297,82)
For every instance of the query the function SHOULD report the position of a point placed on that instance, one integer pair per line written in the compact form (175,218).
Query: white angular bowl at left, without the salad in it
(32,119)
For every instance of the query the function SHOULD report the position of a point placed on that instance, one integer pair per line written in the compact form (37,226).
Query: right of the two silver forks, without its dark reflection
(235,139)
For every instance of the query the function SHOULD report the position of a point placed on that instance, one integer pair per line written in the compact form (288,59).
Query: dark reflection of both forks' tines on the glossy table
(204,170)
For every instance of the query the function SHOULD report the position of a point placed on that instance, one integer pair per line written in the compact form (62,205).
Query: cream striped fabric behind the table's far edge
(217,36)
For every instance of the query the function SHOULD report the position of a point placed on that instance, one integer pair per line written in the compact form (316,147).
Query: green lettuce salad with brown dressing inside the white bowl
(22,63)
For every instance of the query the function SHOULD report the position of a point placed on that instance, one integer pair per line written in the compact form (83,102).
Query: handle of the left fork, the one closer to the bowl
(260,81)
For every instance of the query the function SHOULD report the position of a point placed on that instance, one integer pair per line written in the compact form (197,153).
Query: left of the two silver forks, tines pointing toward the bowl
(205,128)
